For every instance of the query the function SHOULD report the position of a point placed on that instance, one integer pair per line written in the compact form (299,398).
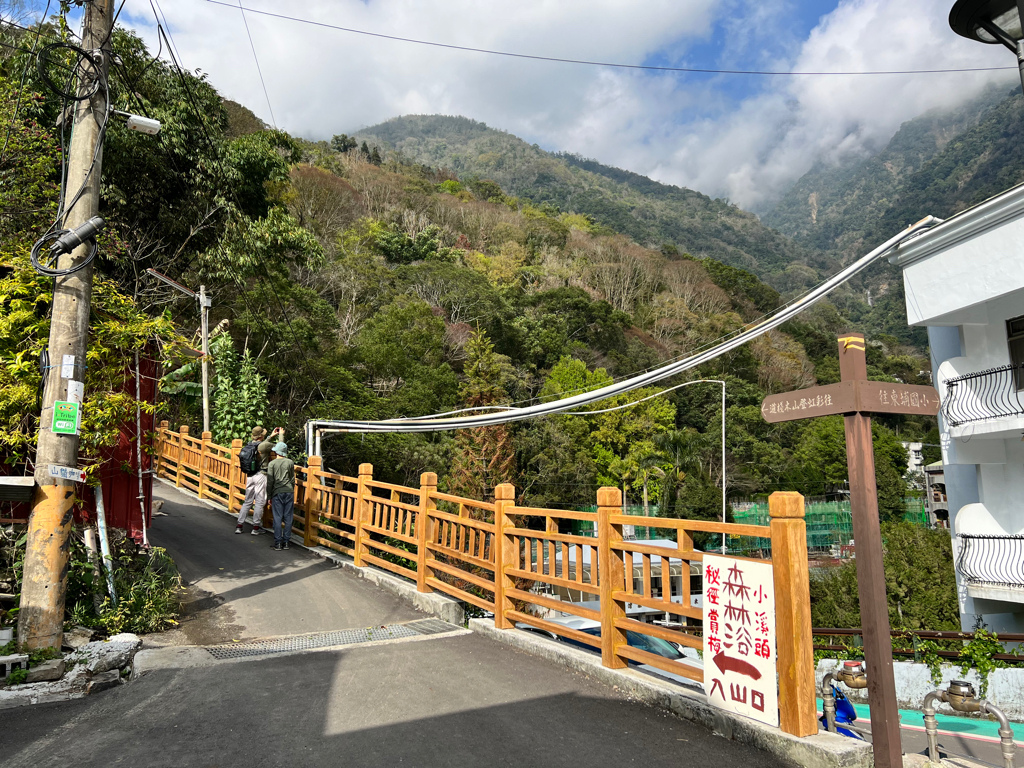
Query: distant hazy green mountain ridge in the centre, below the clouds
(651,214)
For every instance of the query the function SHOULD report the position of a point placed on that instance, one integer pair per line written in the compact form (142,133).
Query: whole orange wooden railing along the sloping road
(501,558)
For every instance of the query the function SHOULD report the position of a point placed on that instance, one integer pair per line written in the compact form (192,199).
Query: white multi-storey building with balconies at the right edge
(965,282)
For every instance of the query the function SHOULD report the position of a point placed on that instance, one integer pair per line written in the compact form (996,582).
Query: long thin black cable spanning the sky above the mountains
(693,70)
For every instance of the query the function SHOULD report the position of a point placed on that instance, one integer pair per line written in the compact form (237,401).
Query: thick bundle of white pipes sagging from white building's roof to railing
(564,405)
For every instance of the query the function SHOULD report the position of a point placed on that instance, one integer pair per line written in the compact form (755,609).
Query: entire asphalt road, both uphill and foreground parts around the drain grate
(440,701)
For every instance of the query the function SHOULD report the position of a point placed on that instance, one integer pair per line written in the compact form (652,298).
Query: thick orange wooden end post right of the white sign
(795,656)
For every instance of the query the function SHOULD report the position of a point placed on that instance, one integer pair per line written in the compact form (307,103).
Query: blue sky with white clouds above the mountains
(743,138)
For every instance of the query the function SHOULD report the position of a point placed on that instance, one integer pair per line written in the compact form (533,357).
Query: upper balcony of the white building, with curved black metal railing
(985,403)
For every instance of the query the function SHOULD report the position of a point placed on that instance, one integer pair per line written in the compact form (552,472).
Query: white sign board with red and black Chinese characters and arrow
(740,637)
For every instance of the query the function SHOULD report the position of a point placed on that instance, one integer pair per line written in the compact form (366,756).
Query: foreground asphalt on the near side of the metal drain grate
(447,702)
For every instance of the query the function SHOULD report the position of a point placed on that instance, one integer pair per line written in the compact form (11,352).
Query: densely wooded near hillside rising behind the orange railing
(362,285)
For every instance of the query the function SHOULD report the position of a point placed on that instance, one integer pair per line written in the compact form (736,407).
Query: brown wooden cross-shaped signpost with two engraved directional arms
(857,399)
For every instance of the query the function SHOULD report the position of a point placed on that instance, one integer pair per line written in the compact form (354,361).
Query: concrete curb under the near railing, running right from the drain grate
(822,751)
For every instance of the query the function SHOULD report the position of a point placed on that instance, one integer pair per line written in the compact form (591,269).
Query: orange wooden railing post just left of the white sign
(611,576)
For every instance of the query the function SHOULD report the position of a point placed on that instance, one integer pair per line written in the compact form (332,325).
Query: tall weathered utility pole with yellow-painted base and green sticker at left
(40,623)
